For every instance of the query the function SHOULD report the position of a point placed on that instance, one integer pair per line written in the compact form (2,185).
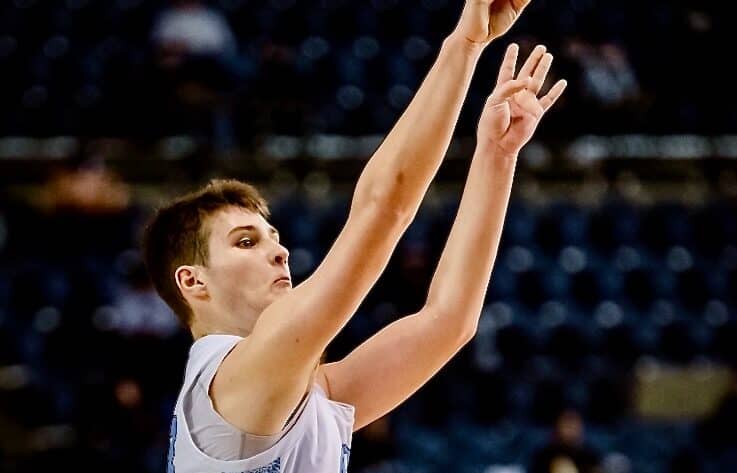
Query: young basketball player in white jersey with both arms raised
(255,396)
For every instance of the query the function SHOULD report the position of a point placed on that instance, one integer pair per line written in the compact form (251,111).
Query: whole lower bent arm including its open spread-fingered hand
(386,369)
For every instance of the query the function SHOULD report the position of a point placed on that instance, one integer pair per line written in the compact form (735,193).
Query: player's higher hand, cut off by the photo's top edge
(484,20)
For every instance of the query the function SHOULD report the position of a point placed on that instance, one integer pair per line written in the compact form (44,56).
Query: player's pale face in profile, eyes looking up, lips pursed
(246,261)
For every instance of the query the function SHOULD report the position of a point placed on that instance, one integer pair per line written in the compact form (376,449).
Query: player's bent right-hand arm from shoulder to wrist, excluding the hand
(386,369)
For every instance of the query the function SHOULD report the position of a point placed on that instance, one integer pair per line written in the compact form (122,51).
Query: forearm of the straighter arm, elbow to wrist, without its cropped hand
(402,168)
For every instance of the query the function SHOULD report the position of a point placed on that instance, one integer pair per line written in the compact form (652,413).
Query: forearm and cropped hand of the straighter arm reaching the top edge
(400,171)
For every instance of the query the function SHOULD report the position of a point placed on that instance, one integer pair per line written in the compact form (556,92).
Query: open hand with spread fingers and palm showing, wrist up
(512,111)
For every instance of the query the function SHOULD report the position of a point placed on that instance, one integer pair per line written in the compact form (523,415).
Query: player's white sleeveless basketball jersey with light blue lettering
(316,440)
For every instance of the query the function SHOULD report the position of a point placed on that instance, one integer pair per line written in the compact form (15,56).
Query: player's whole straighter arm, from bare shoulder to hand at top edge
(270,370)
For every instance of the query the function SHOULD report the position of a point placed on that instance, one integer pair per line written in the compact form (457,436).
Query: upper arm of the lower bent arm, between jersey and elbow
(391,365)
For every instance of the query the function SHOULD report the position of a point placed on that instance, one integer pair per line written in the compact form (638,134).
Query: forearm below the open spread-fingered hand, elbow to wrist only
(459,285)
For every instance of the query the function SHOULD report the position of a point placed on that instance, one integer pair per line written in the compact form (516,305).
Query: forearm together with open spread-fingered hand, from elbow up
(459,285)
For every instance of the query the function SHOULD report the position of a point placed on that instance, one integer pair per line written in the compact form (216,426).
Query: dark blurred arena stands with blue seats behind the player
(608,341)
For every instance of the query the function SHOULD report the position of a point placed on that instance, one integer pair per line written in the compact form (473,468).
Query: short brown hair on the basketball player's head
(178,233)
